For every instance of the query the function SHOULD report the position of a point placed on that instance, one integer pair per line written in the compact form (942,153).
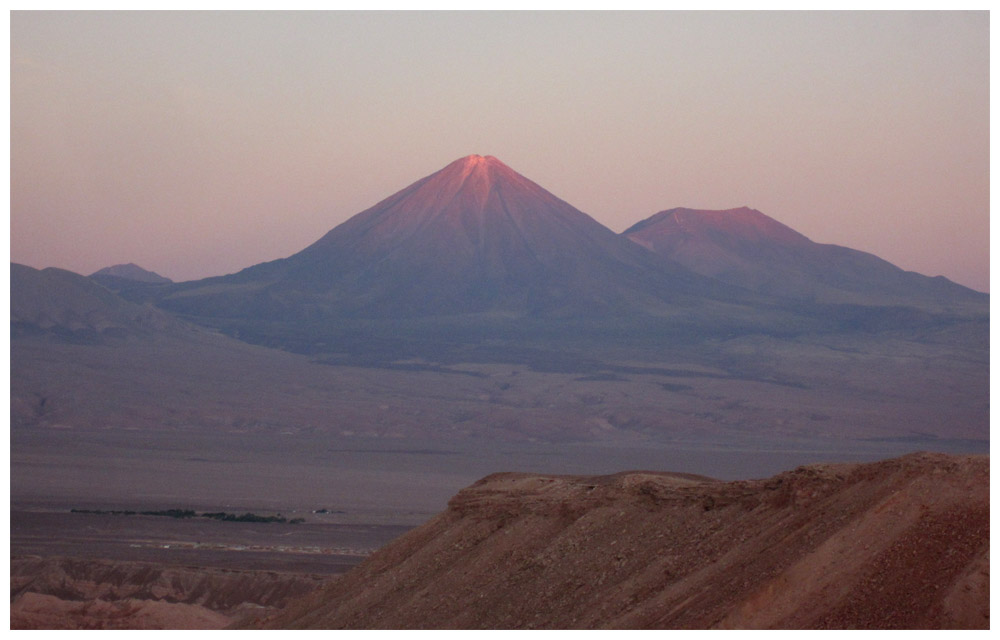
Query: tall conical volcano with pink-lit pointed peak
(474,237)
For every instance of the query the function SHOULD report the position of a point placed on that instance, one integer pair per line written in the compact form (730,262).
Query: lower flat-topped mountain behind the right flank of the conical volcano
(746,248)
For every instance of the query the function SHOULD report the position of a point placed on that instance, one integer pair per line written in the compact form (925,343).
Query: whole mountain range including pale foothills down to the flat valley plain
(498,310)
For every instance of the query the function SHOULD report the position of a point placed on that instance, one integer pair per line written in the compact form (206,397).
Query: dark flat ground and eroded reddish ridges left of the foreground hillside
(103,571)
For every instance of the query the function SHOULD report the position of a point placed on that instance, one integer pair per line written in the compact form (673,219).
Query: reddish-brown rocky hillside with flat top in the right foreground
(901,543)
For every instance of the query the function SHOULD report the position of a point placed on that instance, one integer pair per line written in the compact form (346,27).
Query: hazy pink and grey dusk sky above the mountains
(199,143)
